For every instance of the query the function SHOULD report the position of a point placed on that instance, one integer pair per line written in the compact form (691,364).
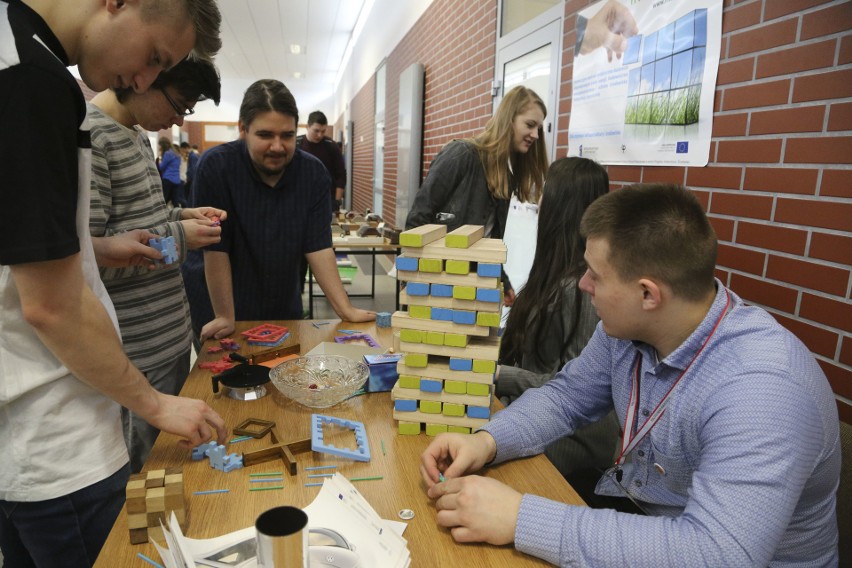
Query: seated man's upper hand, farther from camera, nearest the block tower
(456,455)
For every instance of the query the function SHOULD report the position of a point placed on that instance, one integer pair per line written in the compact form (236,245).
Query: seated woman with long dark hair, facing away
(552,319)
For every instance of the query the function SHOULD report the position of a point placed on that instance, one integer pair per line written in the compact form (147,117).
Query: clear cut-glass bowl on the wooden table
(319,381)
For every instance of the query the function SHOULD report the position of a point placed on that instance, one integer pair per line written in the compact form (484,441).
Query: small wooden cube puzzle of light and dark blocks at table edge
(151,497)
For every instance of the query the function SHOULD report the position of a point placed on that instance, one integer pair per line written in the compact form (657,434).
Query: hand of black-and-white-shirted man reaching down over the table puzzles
(189,418)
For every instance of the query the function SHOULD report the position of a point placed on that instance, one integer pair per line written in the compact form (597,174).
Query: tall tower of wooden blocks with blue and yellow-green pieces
(448,335)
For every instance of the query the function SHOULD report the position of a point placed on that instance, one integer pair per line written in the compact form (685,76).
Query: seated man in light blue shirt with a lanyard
(730,427)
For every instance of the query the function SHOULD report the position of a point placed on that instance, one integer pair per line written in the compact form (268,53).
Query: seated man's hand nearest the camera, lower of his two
(477,509)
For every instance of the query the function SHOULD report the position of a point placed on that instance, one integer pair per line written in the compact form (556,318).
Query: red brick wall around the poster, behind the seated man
(778,187)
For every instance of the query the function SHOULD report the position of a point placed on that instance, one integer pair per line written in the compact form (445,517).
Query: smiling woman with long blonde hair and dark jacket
(471,181)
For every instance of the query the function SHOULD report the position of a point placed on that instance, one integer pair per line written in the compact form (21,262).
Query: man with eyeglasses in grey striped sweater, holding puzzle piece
(151,304)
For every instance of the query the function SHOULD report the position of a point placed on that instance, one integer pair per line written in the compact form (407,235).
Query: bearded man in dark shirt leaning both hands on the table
(278,211)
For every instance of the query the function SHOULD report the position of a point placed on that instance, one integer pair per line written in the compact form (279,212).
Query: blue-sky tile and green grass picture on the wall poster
(664,86)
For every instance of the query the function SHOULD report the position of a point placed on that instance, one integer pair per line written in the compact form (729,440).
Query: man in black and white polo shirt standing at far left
(63,375)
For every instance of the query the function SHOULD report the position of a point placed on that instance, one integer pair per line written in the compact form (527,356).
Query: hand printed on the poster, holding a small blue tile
(609,28)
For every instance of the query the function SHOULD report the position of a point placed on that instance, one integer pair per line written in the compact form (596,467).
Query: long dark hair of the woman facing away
(572,185)
